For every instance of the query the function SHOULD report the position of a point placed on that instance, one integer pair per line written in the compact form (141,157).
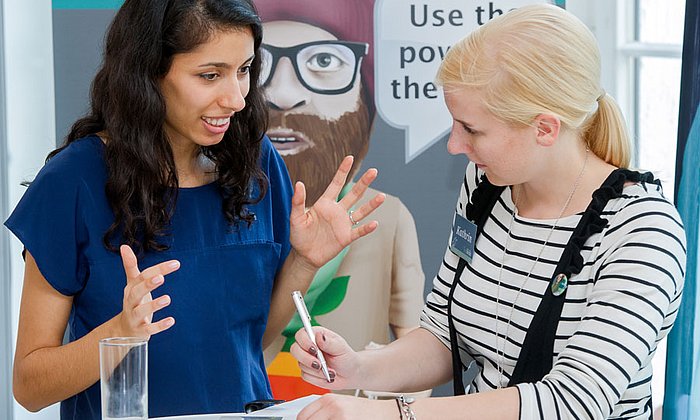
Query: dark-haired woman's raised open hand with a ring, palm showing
(319,233)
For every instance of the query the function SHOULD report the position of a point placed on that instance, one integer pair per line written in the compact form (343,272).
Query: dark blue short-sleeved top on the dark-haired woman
(211,360)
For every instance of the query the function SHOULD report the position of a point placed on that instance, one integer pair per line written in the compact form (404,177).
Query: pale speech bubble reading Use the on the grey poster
(410,41)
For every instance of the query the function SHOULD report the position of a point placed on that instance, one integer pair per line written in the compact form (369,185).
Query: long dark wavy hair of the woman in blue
(127,104)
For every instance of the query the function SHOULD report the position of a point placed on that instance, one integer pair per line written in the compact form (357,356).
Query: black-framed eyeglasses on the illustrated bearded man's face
(328,67)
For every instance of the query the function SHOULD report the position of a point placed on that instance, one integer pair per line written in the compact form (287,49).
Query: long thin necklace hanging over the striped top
(500,354)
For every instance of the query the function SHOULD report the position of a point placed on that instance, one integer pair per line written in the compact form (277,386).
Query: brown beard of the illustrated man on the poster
(333,140)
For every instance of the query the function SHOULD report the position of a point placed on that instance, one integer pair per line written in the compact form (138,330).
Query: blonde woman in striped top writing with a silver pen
(564,268)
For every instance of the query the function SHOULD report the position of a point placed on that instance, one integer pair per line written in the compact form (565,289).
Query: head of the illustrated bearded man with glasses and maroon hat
(313,131)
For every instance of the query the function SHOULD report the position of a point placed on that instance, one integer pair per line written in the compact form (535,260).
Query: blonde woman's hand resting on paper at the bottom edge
(344,407)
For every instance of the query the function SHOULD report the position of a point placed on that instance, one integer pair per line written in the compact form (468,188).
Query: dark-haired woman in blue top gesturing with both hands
(171,165)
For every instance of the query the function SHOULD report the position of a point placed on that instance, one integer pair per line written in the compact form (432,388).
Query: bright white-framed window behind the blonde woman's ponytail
(641,45)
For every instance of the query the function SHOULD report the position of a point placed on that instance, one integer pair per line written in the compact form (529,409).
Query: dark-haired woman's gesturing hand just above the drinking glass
(136,317)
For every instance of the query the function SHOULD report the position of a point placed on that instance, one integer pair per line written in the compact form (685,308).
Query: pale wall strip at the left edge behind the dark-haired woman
(29,132)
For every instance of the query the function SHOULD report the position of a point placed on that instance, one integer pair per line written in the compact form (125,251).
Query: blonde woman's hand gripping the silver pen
(343,362)
